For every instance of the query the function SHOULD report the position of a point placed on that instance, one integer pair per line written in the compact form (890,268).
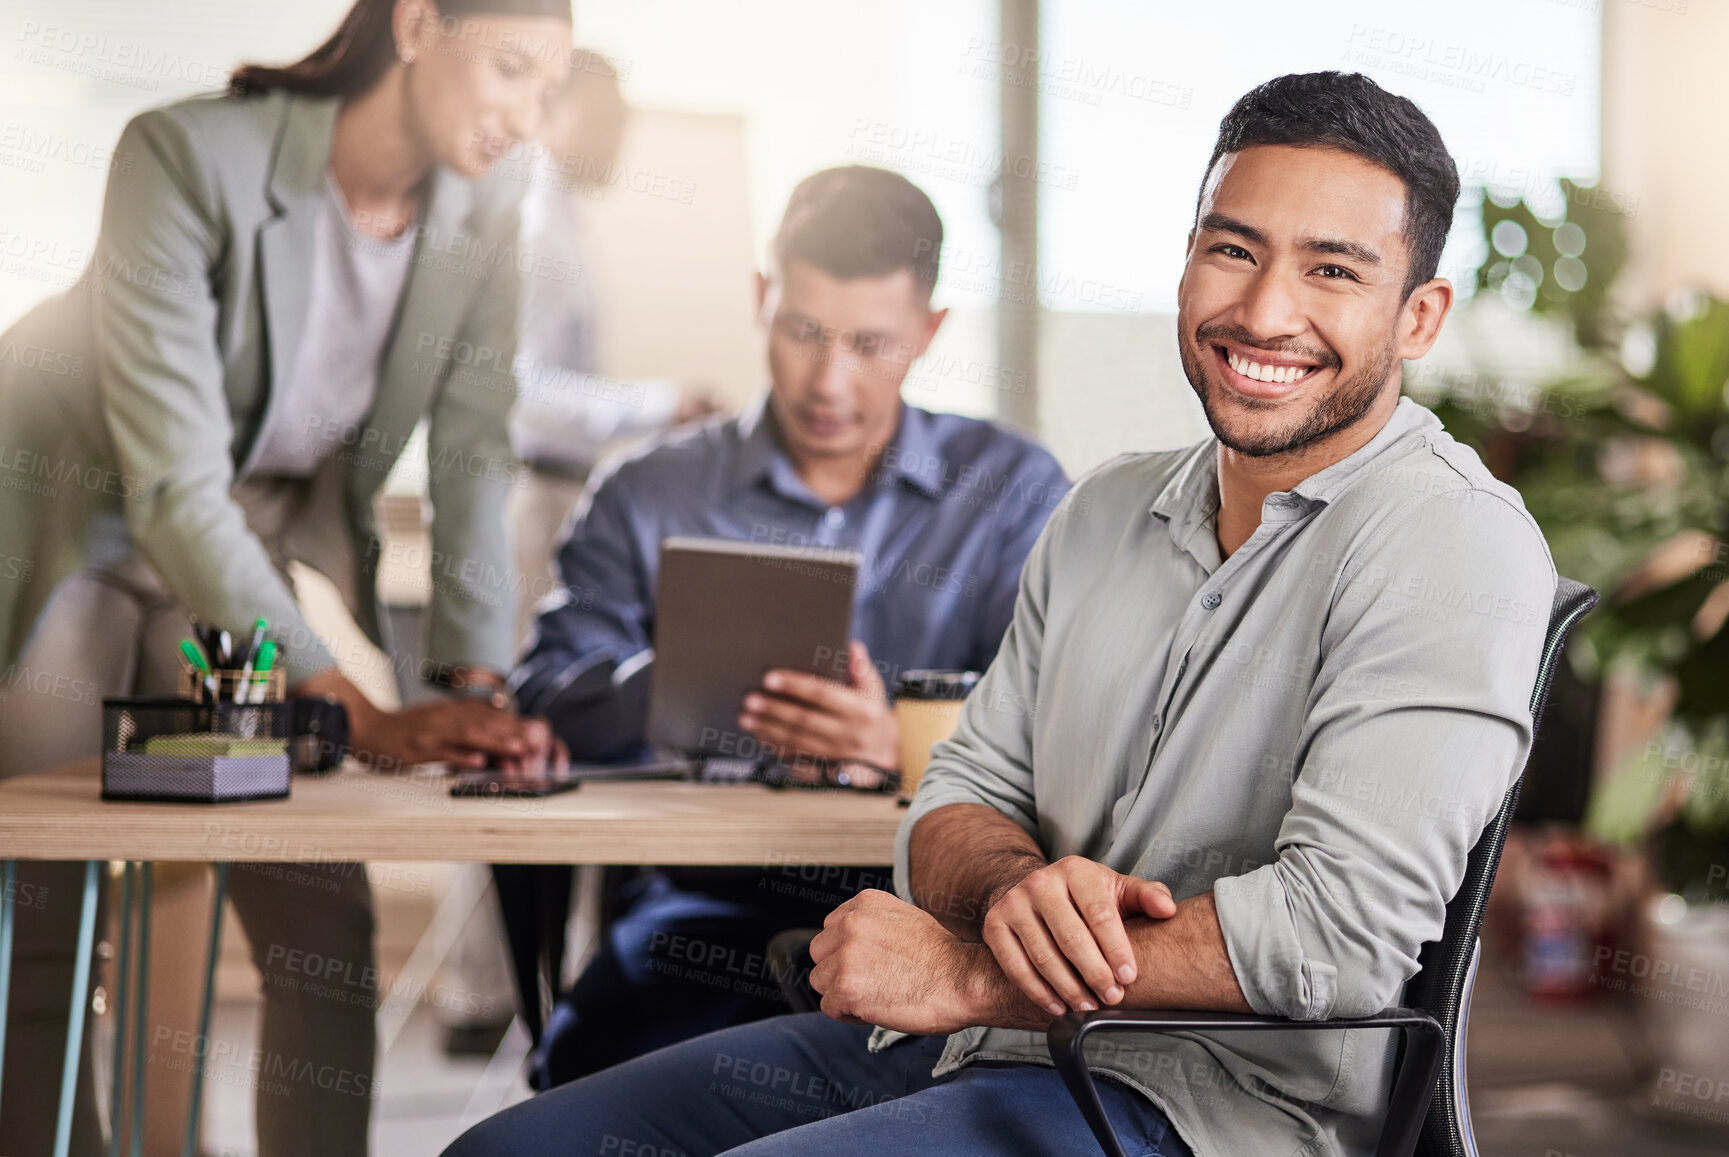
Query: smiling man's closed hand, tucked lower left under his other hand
(881,961)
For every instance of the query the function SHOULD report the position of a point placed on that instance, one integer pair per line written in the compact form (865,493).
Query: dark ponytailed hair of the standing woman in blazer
(362,49)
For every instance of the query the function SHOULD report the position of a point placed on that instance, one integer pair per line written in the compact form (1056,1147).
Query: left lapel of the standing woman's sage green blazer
(286,243)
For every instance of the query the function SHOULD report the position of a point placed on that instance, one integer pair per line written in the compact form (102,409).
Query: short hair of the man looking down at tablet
(862,222)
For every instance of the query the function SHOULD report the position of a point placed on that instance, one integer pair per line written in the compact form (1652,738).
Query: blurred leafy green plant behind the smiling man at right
(1624,463)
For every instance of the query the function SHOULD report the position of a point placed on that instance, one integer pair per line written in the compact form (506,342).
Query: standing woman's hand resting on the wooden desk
(461,732)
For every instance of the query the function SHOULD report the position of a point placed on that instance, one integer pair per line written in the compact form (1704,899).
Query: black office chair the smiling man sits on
(1432,1021)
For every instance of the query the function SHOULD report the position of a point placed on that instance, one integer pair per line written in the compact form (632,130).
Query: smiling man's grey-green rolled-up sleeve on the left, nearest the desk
(990,757)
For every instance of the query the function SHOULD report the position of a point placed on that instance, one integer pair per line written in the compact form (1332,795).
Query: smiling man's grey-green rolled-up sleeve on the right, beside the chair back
(1417,726)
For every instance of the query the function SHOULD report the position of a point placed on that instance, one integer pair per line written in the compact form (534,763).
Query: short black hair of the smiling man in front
(1351,113)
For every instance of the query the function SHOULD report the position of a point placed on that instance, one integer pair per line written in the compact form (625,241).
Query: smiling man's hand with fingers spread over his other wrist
(1059,933)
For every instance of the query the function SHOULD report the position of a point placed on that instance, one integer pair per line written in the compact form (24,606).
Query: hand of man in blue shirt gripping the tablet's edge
(808,717)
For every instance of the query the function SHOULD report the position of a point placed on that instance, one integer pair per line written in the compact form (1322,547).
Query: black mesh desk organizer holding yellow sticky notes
(191,751)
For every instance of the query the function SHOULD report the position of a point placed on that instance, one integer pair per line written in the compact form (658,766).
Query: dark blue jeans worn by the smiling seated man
(807,1085)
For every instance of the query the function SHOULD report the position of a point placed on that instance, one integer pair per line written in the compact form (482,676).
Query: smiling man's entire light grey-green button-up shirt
(1315,731)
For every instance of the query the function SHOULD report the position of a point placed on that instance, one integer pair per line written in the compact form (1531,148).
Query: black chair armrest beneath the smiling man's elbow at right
(1413,1080)
